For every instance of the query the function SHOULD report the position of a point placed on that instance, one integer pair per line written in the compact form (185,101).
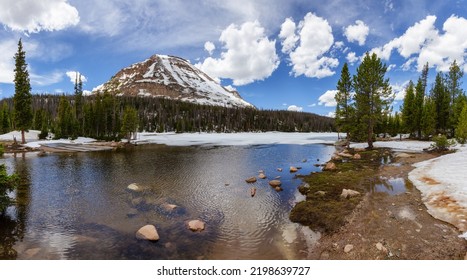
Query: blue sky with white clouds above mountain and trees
(277,54)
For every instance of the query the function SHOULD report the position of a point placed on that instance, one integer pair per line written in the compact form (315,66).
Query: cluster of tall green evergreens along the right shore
(364,104)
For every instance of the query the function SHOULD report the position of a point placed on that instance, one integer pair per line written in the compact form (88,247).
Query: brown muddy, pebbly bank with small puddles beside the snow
(392,224)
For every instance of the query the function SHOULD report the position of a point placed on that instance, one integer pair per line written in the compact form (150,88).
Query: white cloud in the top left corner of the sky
(34,16)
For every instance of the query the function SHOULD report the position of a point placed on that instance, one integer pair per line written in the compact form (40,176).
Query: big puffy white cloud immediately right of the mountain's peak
(249,55)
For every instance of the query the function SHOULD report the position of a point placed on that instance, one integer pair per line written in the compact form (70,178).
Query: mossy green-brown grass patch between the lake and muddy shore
(324,209)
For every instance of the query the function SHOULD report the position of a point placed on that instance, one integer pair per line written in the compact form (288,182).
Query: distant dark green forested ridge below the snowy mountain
(100,116)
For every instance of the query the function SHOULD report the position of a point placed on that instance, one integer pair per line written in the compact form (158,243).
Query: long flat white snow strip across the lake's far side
(236,139)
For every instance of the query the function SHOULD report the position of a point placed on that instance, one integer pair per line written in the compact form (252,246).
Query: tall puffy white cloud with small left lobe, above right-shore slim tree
(314,35)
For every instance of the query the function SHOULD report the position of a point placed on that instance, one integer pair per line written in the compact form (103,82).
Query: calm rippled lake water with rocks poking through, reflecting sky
(77,206)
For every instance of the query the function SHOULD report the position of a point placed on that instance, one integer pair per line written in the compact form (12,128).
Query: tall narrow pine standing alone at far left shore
(22,98)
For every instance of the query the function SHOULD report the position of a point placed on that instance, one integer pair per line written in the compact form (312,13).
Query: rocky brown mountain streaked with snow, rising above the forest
(172,77)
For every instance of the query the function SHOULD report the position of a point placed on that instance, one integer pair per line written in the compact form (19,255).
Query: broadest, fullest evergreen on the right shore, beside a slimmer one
(373,94)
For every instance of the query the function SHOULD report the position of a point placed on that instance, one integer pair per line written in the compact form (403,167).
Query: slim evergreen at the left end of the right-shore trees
(344,110)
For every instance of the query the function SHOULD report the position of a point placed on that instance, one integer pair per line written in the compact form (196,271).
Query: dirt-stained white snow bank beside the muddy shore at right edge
(443,184)
